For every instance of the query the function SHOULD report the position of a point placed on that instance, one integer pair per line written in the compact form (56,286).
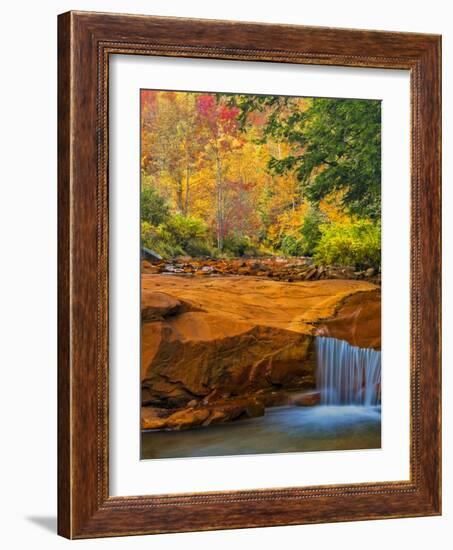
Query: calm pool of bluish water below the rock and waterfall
(281,429)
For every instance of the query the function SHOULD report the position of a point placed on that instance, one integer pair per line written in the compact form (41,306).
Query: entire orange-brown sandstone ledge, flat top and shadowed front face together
(221,348)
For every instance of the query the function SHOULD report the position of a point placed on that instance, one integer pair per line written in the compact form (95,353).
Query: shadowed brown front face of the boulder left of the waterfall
(207,356)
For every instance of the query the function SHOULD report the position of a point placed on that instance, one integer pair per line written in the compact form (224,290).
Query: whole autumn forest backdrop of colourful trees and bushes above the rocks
(241,175)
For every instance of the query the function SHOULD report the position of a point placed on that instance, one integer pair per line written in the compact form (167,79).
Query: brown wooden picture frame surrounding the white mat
(85,42)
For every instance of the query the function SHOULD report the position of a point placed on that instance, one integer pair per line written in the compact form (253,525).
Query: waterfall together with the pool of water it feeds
(347,418)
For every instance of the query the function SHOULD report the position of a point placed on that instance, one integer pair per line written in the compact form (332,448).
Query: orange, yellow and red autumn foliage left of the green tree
(204,165)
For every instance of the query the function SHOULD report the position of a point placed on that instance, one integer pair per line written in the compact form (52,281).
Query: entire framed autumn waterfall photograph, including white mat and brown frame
(249,275)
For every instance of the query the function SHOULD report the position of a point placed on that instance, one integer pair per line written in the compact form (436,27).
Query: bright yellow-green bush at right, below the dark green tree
(355,244)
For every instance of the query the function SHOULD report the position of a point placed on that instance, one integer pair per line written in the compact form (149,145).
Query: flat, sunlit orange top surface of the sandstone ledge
(295,306)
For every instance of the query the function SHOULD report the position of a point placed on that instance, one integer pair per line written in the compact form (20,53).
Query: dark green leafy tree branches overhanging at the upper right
(335,147)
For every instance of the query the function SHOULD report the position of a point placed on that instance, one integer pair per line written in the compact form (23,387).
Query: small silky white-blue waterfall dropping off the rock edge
(347,375)
